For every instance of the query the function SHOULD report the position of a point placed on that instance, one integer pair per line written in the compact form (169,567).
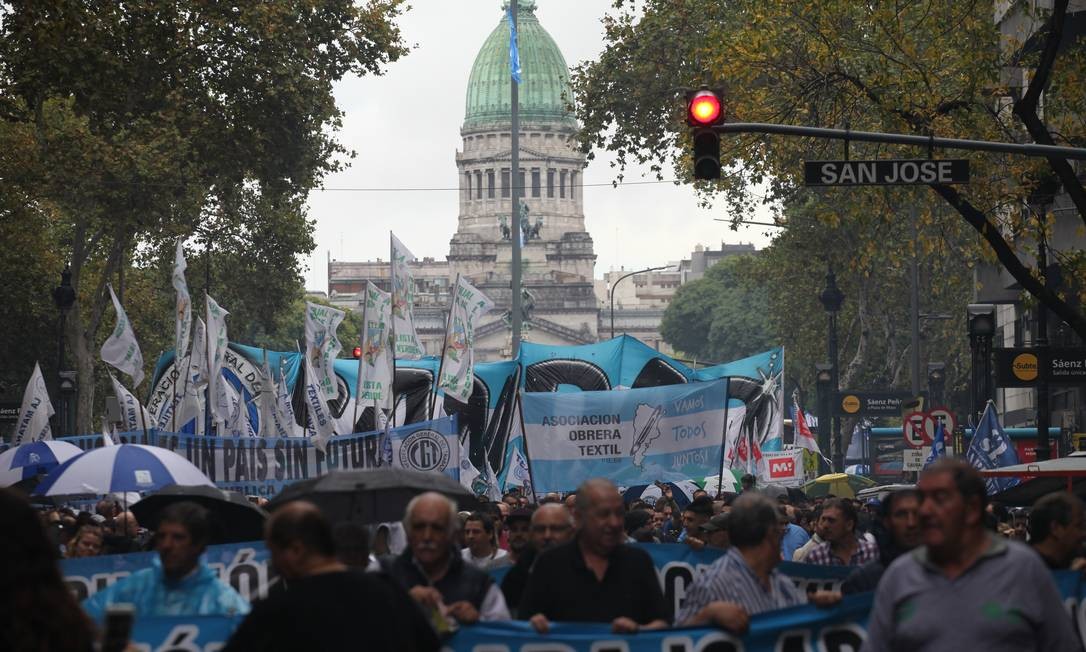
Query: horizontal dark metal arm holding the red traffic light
(988,146)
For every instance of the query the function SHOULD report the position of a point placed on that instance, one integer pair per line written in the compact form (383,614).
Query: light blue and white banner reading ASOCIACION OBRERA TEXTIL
(632,437)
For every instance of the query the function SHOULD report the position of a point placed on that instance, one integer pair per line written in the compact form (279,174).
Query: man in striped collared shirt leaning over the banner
(744,582)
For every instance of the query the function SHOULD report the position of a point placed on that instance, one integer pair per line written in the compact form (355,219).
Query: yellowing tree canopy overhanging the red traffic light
(920,67)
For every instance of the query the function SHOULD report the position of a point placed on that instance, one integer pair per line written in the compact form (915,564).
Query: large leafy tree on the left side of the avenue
(140,123)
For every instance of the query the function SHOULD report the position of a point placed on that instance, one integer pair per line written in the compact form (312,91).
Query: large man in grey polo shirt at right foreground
(966,588)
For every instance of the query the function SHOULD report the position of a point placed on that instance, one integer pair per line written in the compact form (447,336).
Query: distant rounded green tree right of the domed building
(722,317)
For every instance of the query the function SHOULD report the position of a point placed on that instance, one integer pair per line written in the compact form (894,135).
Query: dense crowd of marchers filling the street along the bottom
(927,553)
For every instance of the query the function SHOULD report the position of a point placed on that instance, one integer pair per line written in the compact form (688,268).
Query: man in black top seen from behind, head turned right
(326,606)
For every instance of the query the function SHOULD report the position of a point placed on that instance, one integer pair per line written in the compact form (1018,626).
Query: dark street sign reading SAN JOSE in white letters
(900,172)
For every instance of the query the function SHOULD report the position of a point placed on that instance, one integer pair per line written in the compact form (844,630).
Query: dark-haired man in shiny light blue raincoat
(176,584)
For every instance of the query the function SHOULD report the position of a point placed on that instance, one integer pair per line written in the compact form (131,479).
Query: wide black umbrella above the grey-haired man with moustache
(376,496)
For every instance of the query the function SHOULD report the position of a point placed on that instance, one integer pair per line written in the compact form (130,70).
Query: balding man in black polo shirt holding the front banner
(596,578)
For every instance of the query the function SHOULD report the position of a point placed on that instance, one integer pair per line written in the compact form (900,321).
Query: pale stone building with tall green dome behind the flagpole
(558,258)
